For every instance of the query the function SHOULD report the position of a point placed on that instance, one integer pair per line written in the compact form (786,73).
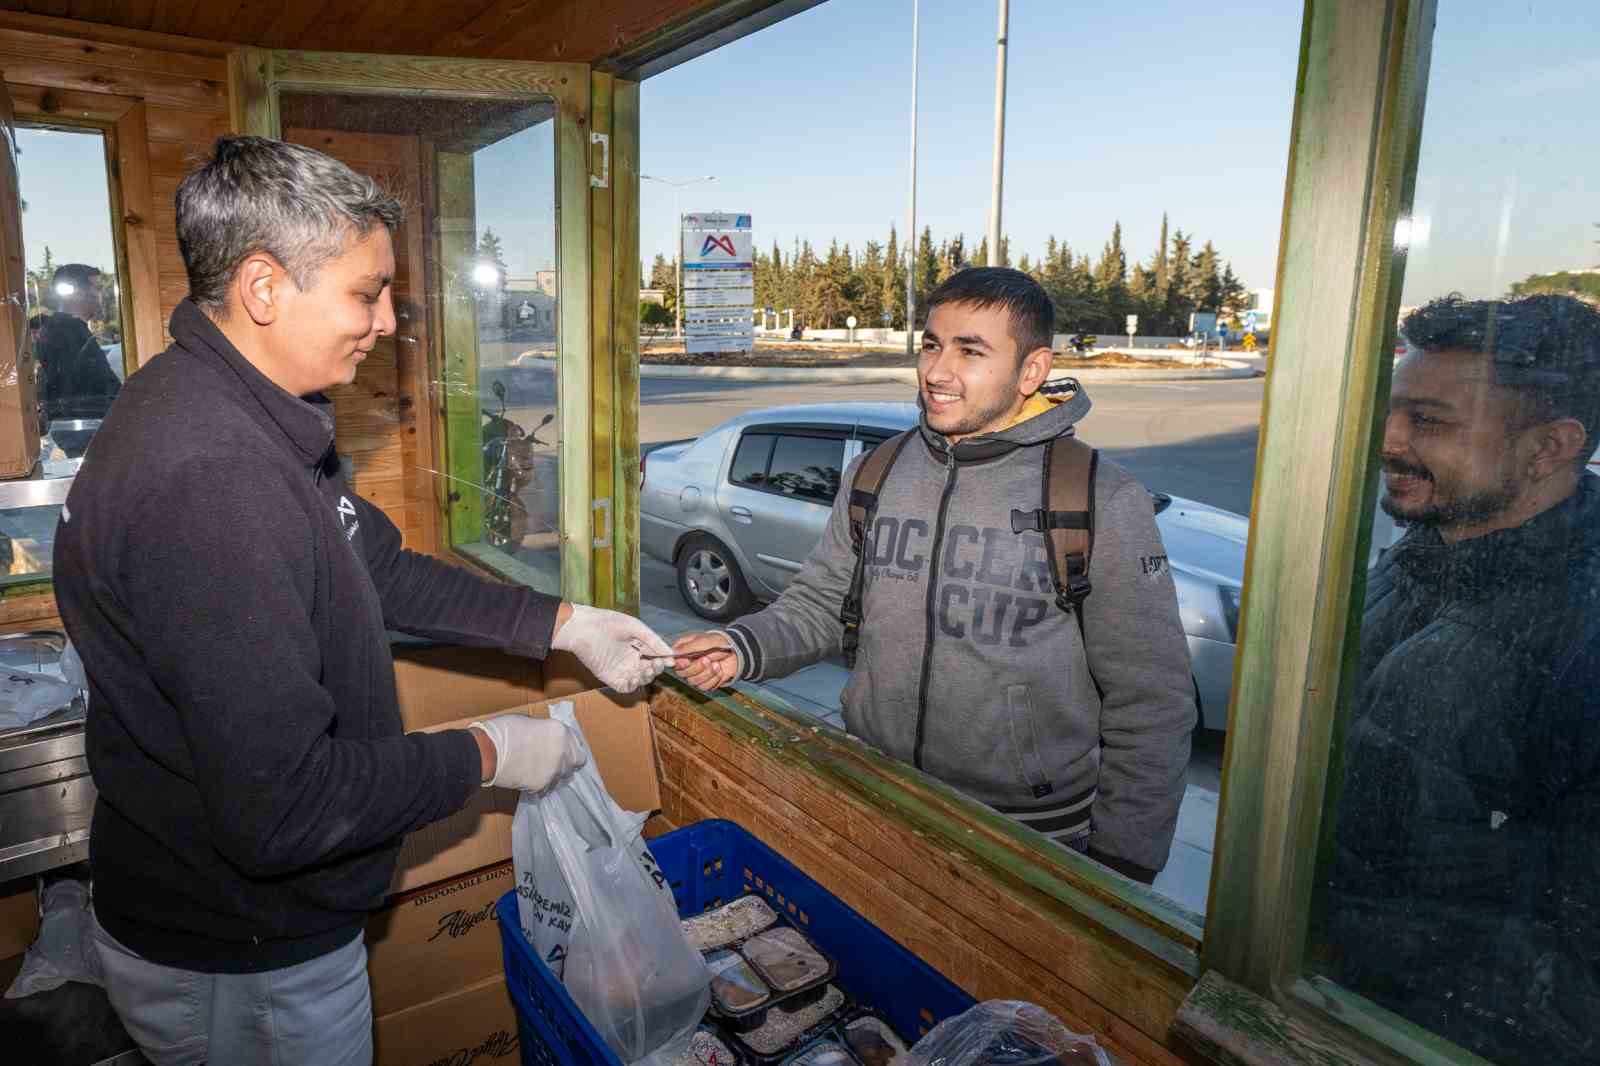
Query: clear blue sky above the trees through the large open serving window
(1114,113)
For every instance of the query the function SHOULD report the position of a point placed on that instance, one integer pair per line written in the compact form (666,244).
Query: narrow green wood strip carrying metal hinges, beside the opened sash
(602,371)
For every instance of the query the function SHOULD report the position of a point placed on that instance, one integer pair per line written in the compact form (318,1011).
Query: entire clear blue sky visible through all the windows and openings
(1116,113)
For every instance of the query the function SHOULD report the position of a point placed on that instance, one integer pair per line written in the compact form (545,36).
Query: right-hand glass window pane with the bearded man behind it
(1460,886)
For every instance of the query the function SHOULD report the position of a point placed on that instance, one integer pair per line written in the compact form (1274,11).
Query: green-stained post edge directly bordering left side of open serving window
(625,342)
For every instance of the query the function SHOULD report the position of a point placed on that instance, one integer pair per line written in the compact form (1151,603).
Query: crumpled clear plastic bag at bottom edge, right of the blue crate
(1006,1033)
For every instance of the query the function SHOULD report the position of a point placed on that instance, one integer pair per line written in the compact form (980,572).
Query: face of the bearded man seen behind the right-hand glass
(1455,449)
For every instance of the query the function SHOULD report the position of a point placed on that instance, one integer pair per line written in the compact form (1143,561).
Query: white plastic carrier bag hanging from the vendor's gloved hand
(601,915)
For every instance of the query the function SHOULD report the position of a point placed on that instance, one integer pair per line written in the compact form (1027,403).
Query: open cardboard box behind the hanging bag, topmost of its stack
(622,739)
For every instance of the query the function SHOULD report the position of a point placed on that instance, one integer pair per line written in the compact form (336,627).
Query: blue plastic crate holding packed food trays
(710,865)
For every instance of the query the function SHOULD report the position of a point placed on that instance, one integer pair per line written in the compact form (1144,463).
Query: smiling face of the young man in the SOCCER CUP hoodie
(970,377)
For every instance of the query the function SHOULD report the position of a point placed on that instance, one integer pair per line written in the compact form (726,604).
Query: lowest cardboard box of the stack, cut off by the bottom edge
(476,1025)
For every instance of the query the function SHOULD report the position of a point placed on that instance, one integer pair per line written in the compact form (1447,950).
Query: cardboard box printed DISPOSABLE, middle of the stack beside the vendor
(436,940)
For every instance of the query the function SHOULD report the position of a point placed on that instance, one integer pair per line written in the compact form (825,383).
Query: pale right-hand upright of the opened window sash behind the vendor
(575,415)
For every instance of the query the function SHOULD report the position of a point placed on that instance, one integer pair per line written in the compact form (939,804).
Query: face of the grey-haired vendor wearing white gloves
(322,334)
